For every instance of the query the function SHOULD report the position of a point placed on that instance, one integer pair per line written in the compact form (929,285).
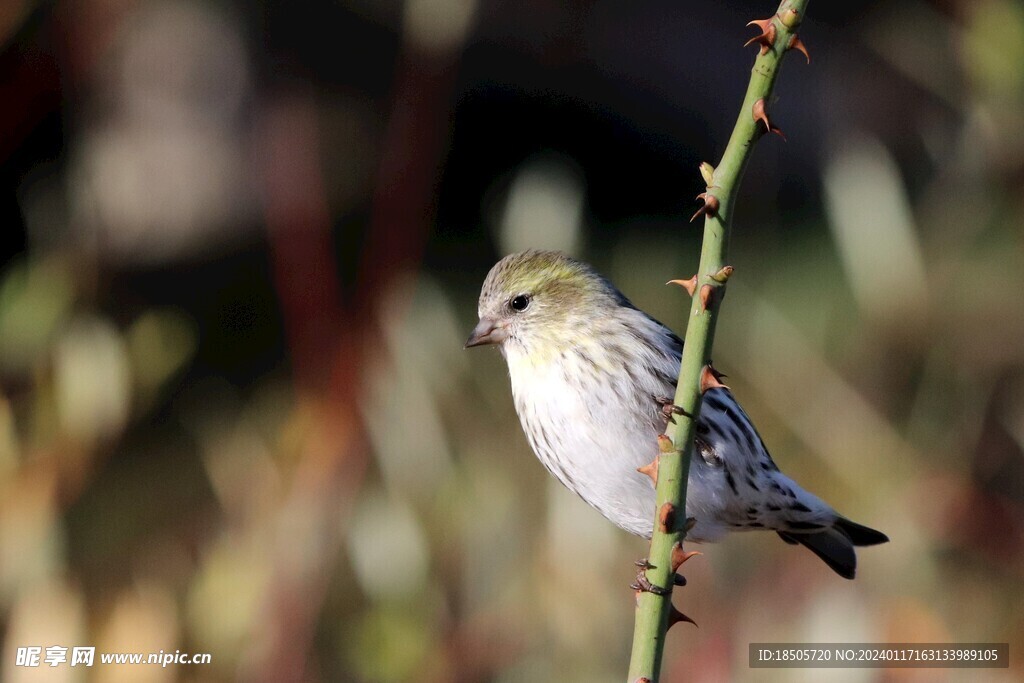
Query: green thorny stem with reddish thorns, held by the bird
(655,613)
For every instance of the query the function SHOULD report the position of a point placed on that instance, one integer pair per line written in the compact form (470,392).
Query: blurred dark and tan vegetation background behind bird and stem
(243,244)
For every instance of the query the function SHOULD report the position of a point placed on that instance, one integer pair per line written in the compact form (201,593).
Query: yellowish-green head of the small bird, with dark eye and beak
(541,302)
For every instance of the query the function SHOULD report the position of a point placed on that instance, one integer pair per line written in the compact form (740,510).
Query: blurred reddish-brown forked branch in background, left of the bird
(334,340)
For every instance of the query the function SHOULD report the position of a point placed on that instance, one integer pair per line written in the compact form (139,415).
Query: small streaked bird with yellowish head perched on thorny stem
(589,374)
